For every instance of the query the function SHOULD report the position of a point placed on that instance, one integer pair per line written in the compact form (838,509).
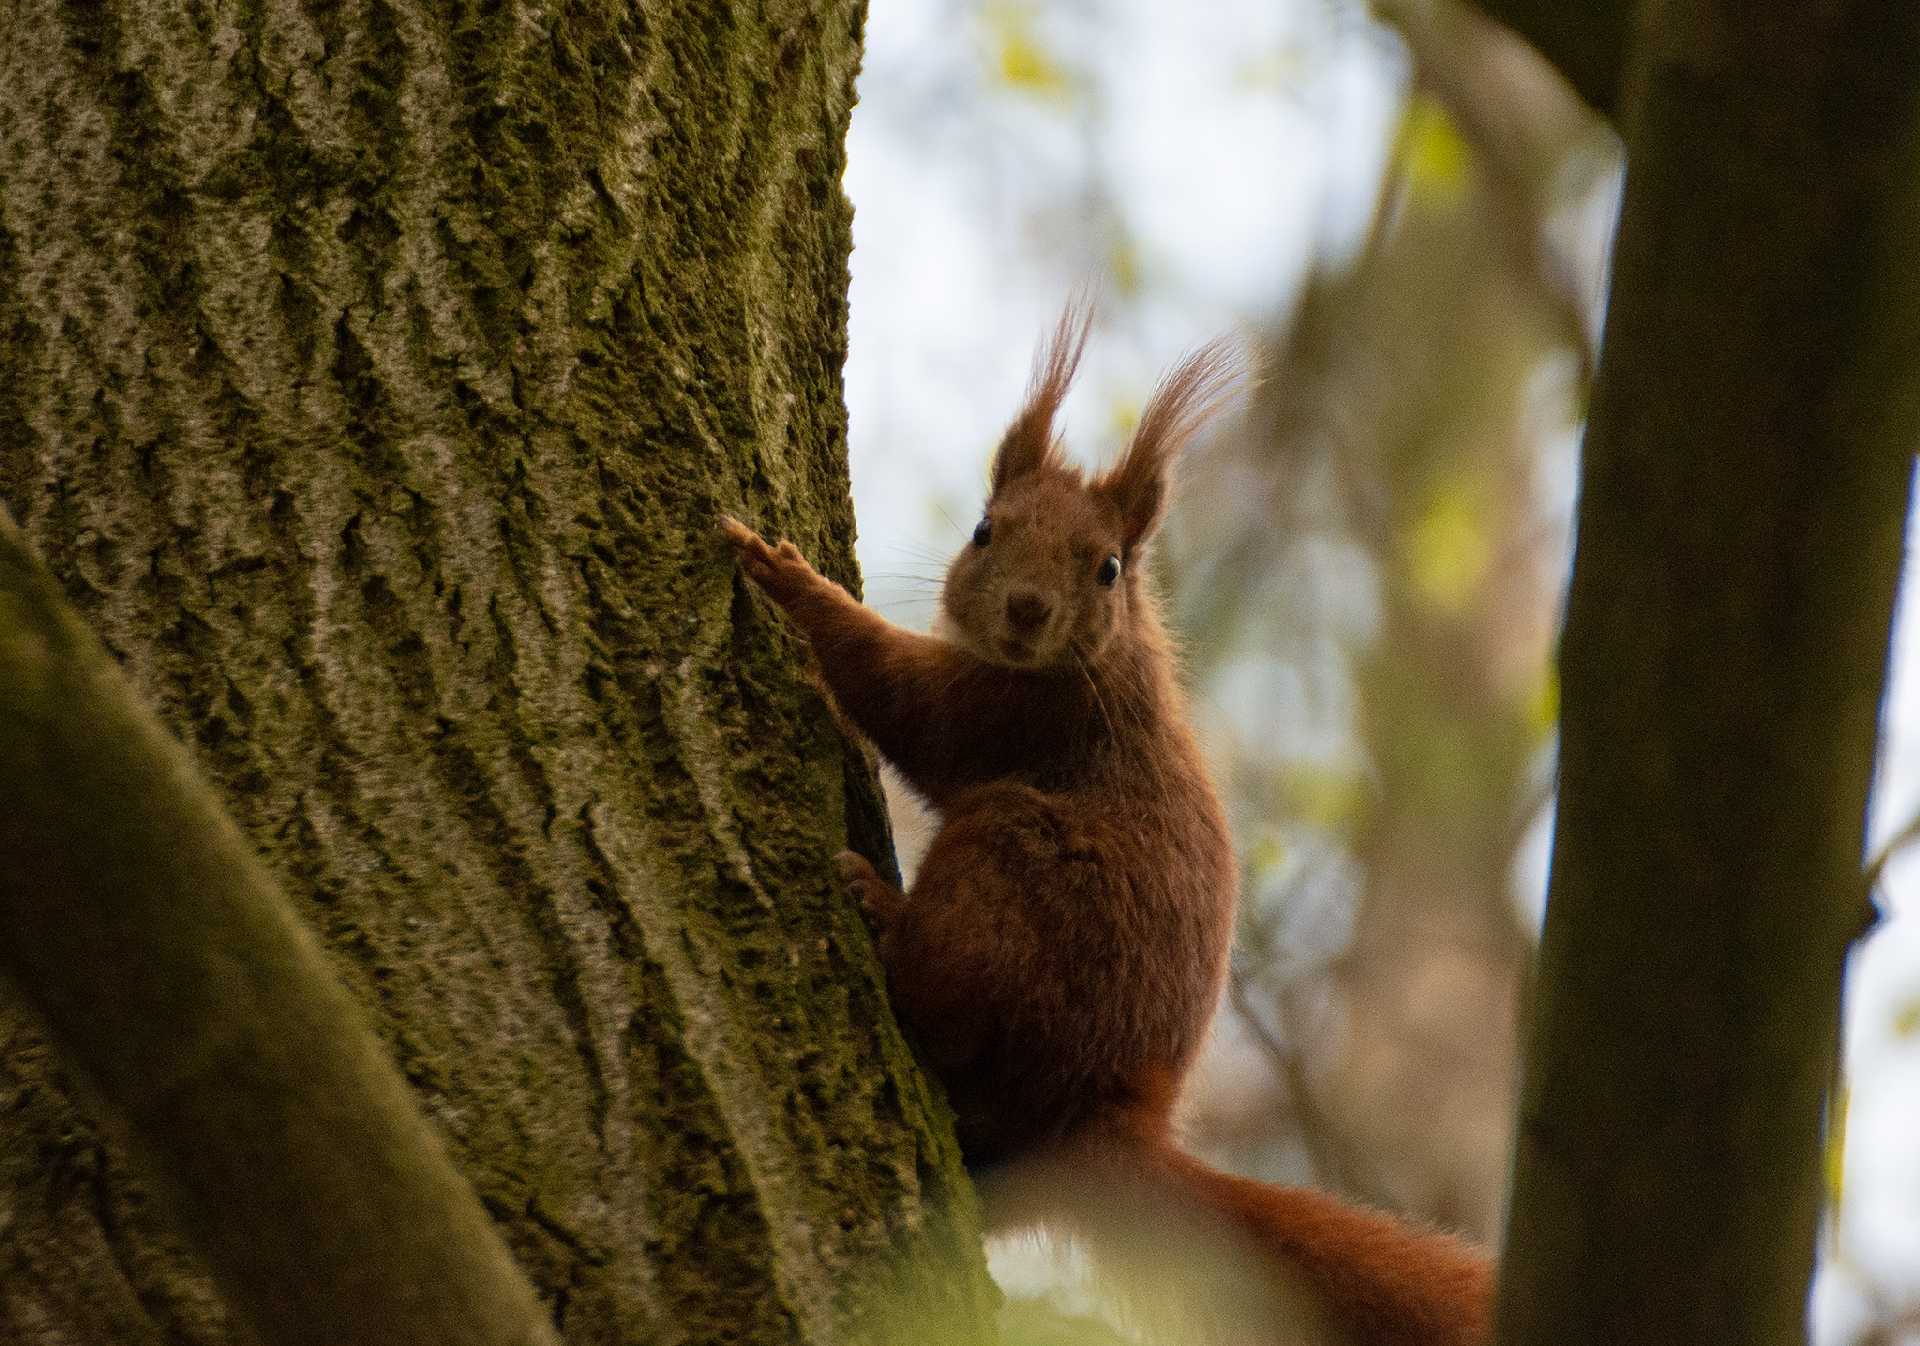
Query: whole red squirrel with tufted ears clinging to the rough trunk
(1065,946)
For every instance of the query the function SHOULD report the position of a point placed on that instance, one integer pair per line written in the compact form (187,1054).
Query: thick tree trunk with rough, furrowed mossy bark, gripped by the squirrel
(370,377)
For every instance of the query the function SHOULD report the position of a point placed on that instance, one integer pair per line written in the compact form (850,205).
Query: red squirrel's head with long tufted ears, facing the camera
(1053,571)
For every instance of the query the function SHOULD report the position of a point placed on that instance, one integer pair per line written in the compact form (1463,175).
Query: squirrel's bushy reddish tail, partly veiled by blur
(1230,1261)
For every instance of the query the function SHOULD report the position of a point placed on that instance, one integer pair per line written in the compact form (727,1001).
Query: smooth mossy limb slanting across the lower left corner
(176,976)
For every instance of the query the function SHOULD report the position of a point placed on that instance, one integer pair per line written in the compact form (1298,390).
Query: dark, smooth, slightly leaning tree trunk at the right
(1744,496)
